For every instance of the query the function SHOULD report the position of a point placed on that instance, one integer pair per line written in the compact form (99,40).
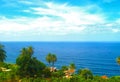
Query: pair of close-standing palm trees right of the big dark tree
(51,59)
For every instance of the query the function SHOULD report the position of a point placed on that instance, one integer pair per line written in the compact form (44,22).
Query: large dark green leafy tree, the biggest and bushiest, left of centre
(29,66)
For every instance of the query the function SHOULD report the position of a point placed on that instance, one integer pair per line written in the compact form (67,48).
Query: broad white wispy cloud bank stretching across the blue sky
(57,19)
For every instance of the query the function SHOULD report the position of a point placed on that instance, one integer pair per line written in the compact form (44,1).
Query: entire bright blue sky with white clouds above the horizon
(60,20)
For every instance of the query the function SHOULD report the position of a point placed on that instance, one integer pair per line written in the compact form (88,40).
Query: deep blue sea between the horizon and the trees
(99,57)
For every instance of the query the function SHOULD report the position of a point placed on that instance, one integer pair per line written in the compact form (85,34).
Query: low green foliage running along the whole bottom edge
(11,77)
